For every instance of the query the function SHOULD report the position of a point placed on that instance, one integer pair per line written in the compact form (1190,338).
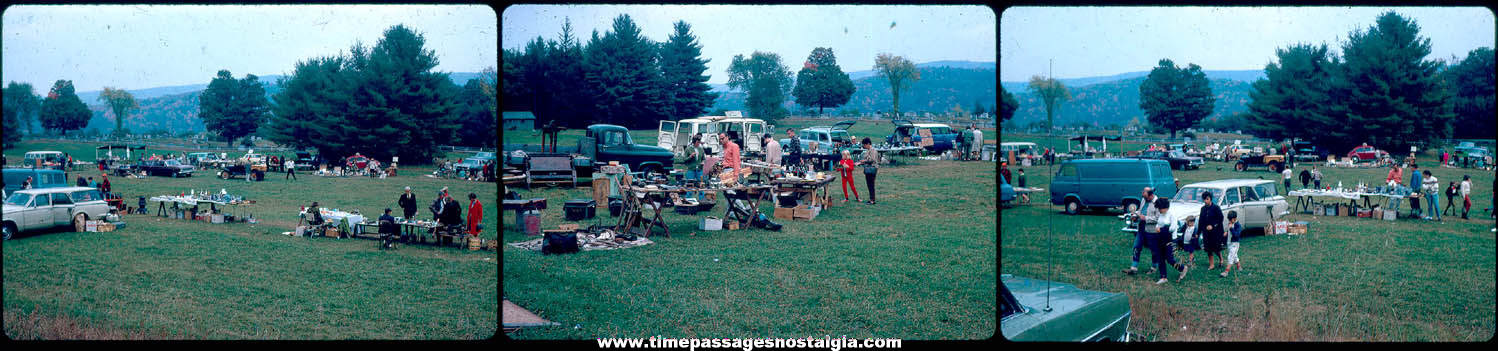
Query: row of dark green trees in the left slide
(380,101)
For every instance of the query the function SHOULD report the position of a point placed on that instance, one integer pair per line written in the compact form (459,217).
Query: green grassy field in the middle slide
(916,266)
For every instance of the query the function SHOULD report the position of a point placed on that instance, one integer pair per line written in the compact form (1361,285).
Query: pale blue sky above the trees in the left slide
(140,47)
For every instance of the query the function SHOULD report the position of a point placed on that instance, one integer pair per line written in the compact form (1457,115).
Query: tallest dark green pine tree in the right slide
(1391,95)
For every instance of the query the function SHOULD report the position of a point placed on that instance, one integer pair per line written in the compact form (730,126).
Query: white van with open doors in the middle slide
(676,136)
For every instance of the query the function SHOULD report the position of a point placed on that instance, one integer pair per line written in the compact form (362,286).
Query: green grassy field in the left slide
(179,280)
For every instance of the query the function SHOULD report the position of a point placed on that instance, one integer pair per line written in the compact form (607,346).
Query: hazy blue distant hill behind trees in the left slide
(176,109)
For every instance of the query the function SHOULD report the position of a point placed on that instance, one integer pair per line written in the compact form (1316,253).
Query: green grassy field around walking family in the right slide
(1347,280)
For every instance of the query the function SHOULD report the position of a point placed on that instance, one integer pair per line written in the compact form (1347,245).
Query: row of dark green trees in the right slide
(1380,91)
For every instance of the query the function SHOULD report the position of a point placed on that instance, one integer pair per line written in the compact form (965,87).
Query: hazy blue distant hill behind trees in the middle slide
(943,86)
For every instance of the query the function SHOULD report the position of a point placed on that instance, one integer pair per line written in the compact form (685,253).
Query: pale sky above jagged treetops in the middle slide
(856,34)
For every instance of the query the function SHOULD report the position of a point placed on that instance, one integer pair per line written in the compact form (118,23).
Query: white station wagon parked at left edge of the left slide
(41,209)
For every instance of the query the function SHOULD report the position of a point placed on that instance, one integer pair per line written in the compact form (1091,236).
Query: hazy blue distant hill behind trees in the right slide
(1118,103)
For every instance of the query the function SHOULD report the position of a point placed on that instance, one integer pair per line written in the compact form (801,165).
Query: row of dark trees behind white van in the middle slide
(624,79)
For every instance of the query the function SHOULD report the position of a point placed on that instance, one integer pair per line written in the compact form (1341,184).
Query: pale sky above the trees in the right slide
(1109,41)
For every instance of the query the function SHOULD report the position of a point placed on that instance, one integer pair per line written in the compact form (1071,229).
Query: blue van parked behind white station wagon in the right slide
(1105,184)
